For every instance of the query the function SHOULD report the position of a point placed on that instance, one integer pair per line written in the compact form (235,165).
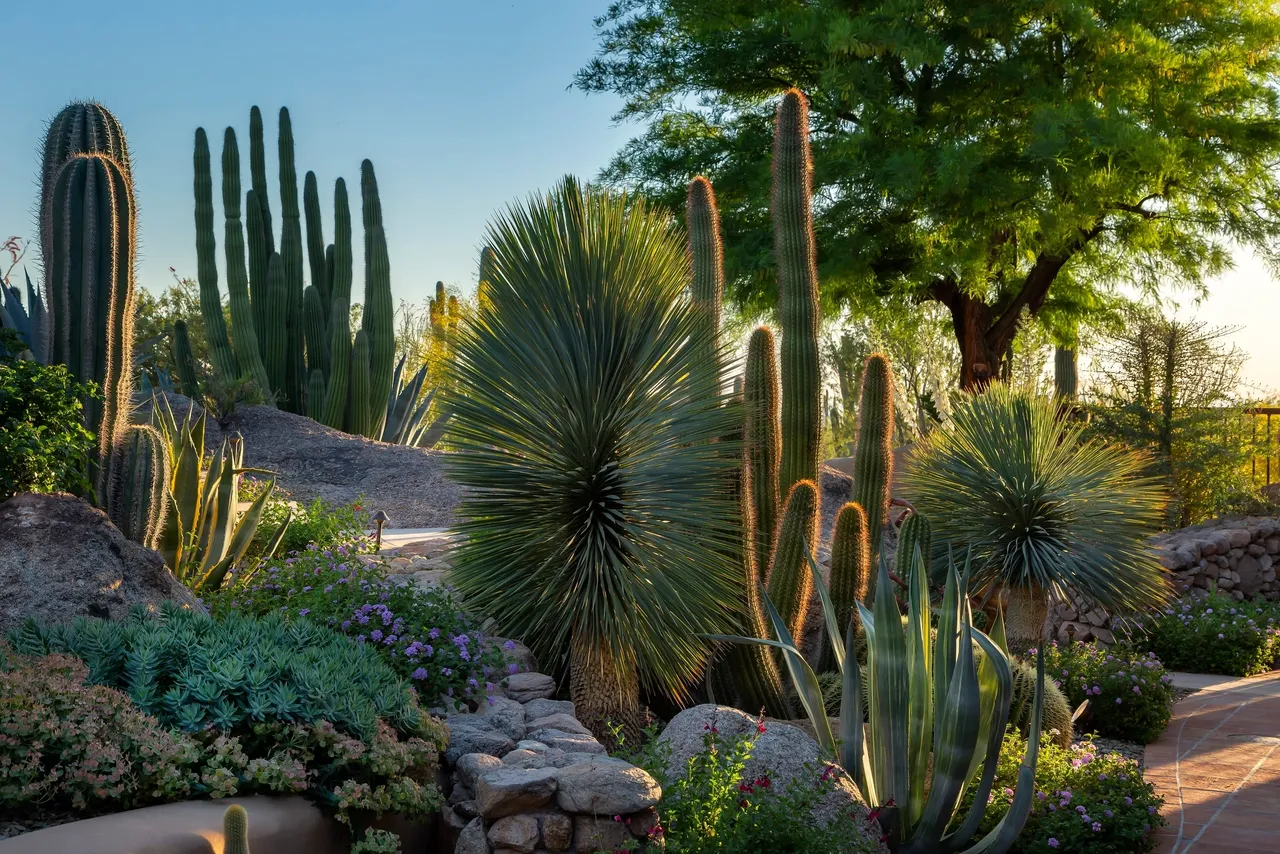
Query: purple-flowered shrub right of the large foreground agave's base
(1085,803)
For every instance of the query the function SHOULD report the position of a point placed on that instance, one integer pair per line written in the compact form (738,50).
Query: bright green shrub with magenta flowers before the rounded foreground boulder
(712,810)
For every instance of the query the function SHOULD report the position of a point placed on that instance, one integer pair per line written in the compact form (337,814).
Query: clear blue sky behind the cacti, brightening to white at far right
(461,106)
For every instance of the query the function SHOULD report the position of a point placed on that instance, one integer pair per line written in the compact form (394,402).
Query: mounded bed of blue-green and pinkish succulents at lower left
(163,709)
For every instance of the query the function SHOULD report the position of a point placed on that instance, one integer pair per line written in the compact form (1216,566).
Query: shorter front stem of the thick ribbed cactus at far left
(90,289)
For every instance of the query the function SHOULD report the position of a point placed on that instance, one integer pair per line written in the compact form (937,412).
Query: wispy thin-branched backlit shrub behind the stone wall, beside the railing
(1169,389)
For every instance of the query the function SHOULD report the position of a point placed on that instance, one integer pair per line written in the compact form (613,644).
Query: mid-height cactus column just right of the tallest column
(874,455)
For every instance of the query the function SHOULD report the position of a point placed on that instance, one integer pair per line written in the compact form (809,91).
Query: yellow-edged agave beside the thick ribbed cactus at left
(204,533)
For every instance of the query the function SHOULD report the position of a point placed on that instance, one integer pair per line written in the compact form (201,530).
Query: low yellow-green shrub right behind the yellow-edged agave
(318,524)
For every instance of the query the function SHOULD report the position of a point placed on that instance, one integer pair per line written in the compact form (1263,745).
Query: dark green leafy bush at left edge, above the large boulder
(44,445)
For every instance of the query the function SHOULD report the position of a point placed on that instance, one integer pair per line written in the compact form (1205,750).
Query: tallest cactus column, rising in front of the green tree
(798,293)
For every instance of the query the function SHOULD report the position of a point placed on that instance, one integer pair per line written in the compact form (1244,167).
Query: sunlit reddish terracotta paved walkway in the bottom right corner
(1218,768)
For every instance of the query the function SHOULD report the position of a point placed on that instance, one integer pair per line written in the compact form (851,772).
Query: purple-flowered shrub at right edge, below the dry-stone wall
(1214,634)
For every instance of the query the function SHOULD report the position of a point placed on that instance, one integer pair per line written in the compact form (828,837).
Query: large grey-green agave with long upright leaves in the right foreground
(936,713)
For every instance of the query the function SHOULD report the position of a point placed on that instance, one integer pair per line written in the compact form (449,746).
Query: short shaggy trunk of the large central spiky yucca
(606,692)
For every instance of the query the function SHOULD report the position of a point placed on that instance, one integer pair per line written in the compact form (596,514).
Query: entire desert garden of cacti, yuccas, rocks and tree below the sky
(834,482)
